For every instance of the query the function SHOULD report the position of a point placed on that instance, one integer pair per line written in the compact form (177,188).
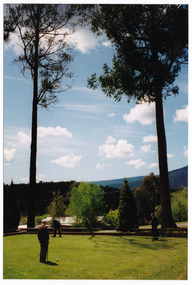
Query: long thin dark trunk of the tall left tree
(33,157)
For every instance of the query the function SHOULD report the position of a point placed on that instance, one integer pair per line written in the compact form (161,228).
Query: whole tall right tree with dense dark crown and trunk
(151,44)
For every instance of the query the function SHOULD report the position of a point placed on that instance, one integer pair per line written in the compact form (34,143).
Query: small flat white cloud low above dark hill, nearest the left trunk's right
(68,161)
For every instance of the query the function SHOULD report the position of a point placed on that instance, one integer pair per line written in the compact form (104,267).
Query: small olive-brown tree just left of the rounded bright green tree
(57,206)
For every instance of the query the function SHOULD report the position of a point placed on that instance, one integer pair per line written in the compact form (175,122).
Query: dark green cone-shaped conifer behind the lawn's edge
(127,208)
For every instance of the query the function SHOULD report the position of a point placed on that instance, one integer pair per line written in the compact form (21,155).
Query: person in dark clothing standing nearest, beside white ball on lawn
(43,236)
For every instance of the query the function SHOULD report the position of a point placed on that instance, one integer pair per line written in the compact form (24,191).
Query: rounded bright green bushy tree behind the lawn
(86,203)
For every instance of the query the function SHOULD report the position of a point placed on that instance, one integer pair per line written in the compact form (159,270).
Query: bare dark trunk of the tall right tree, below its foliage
(166,219)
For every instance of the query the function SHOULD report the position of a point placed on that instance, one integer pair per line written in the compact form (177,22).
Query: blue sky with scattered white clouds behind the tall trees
(87,136)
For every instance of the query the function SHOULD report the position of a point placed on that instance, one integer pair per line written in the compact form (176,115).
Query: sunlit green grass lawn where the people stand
(98,257)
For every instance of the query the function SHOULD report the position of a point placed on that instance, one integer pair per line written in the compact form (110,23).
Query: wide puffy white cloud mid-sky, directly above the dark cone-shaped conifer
(121,149)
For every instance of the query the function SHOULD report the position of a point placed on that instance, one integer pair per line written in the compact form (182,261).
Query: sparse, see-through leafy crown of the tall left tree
(43,41)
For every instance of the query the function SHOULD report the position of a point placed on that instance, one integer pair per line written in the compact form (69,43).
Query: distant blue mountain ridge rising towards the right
(177,178)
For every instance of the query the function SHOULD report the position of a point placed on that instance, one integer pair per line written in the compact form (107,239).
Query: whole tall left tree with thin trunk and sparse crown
(42,31)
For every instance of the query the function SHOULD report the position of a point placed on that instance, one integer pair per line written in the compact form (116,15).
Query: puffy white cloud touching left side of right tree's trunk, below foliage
(144,113)
